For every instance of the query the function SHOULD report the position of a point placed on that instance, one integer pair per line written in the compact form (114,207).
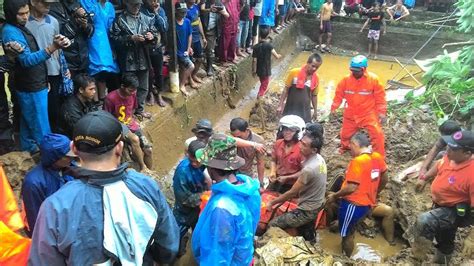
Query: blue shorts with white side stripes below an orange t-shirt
(349,217)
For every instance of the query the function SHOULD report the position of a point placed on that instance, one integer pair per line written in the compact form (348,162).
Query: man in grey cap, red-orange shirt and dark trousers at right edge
(452,192)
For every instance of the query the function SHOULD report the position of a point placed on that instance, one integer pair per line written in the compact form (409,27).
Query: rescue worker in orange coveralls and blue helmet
(365,106)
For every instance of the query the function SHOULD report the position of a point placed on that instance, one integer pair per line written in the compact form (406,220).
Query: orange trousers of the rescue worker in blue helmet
(371,123)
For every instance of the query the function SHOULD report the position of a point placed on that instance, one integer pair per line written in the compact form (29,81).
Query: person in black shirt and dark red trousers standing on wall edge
(262,60)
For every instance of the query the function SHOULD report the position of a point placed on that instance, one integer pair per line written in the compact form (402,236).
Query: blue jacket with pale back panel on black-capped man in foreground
(102,217)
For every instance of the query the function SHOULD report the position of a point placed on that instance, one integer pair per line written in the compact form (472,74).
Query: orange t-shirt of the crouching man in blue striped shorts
(365,170)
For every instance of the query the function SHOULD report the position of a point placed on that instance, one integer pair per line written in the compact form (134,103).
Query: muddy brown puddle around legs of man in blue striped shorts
(369,249)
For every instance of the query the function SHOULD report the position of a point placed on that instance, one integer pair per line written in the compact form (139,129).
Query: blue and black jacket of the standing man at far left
(31,64)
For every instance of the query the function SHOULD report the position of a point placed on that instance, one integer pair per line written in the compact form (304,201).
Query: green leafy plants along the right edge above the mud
(449,83)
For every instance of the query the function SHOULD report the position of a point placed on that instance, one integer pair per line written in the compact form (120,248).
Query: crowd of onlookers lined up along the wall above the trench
(65,44)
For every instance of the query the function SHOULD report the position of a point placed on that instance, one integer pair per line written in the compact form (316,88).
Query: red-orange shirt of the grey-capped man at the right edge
(454,183)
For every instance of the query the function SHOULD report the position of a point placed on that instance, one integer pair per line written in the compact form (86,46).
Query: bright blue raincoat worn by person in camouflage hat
(226,228)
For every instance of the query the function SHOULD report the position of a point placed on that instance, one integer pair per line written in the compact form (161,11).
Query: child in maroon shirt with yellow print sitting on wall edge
(122,103)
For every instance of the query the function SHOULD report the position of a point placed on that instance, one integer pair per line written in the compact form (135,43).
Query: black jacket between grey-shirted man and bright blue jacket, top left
(77,55)
